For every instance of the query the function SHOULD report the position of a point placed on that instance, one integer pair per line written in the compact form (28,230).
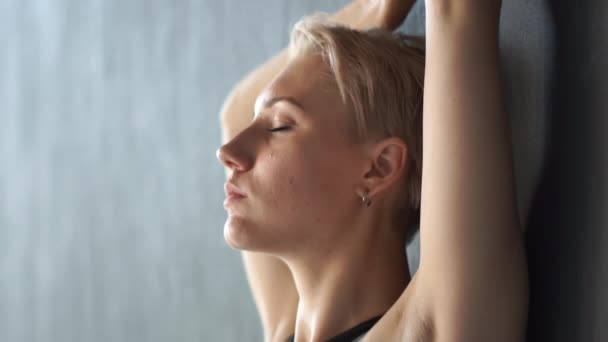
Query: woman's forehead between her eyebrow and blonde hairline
(307,81)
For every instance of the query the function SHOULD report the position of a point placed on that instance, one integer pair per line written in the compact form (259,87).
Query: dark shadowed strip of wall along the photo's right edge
(567,233)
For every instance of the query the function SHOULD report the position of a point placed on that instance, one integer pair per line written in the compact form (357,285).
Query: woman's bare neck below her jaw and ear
(361,276)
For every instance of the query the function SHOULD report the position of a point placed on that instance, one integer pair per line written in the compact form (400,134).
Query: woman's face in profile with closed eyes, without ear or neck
(296,165)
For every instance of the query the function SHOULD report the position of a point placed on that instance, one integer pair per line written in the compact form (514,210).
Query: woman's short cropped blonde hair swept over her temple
(380,76)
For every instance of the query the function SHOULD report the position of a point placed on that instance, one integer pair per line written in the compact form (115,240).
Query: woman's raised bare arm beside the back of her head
(472,260)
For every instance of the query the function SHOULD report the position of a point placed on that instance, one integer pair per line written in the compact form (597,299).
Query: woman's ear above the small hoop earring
(387,164)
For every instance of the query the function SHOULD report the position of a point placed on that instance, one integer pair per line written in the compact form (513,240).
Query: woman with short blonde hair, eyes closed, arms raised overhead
(325,179)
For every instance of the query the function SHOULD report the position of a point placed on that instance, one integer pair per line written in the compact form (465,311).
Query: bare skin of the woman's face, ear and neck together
(302,203)
